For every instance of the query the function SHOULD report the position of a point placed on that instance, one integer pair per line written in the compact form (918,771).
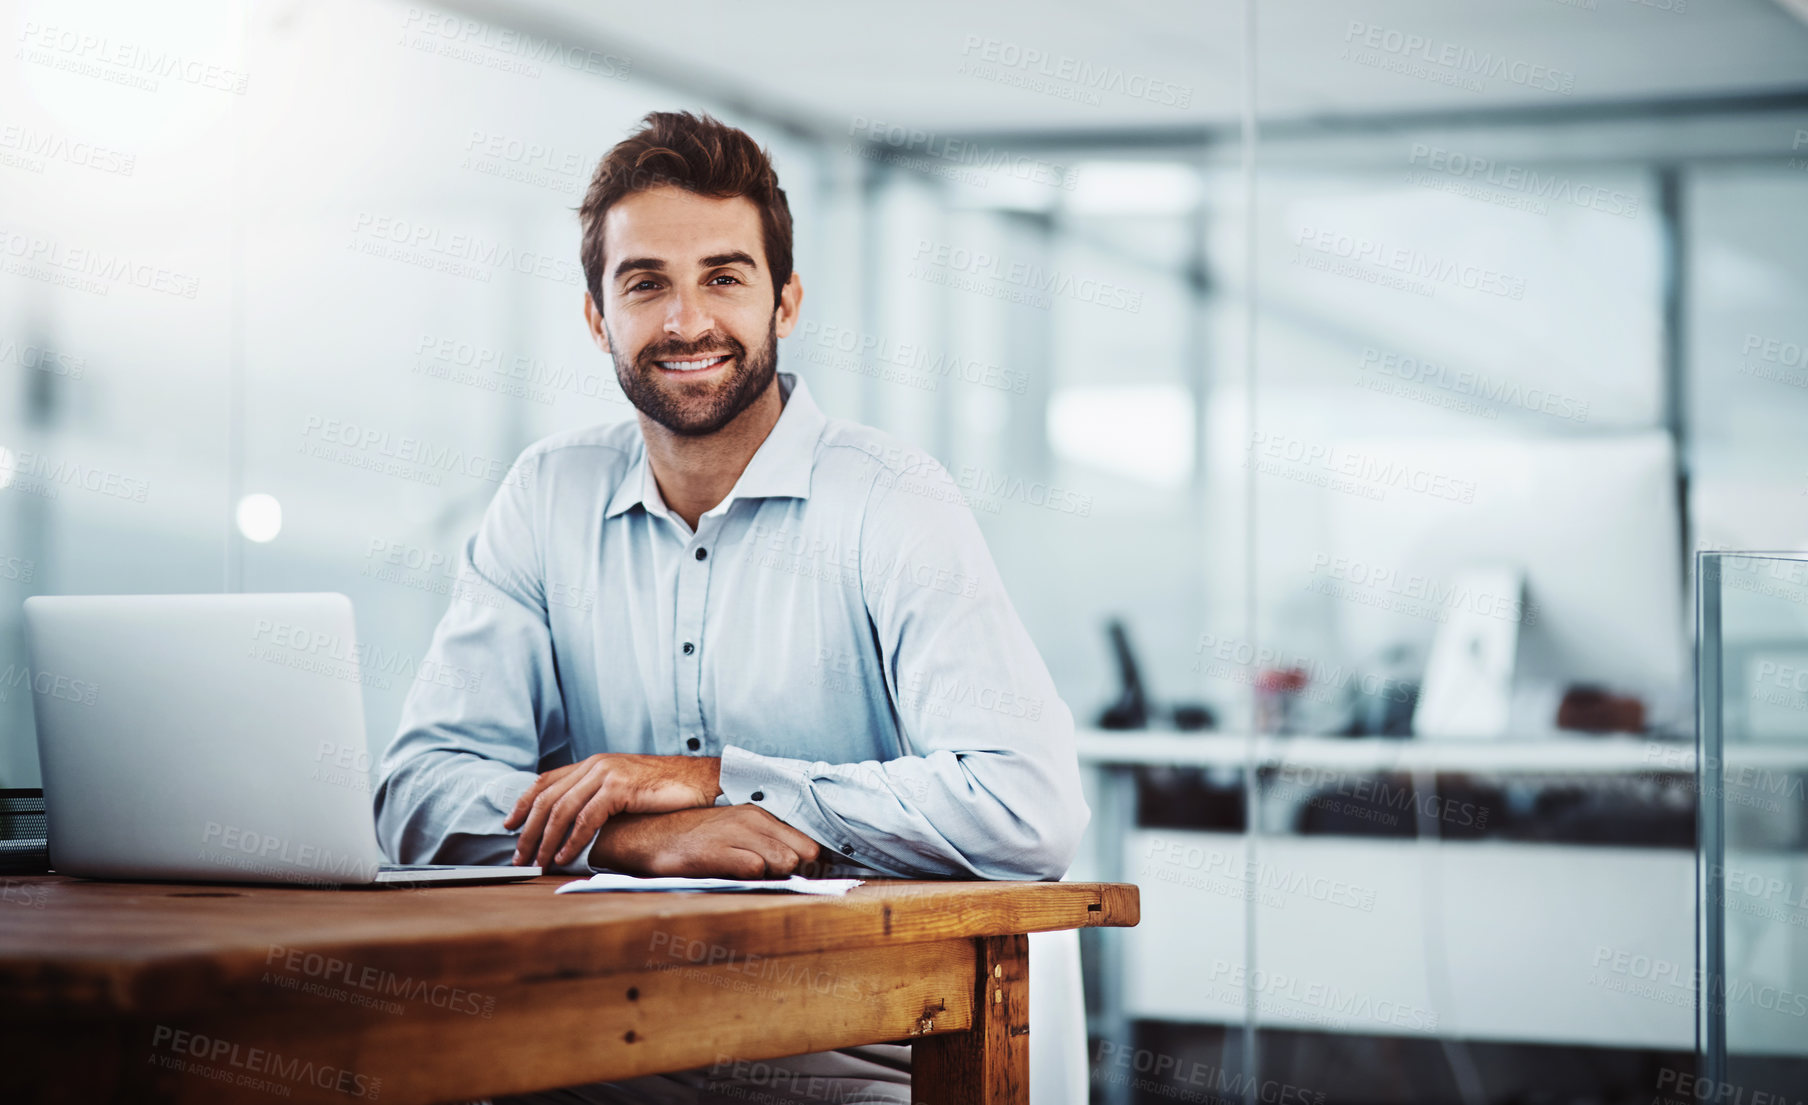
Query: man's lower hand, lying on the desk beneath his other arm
(722,842)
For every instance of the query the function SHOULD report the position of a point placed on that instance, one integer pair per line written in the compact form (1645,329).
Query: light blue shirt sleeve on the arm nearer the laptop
(485,708)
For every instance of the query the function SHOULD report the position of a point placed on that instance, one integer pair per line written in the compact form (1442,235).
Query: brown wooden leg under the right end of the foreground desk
(990,1062)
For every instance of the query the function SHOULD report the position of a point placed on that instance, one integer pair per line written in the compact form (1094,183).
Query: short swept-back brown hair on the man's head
(699,155)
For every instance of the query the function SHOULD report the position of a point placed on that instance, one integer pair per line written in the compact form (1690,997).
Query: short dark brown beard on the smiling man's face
(695,410)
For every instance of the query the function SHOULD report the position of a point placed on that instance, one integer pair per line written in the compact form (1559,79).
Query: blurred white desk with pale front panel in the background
(1445,921)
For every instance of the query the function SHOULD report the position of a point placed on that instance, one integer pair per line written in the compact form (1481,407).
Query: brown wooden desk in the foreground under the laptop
(138,992)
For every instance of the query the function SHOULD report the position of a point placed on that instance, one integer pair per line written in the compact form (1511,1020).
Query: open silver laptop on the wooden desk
(211,739)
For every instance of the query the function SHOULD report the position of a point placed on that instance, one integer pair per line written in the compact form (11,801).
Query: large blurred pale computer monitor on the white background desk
(1592,524)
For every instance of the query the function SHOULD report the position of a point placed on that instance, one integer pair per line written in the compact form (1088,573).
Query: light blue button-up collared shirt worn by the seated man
(834,630)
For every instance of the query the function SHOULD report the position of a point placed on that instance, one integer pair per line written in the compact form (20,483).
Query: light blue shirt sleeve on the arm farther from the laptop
(990,782)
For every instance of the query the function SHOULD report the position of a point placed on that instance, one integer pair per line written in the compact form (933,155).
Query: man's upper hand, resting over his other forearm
(570,804)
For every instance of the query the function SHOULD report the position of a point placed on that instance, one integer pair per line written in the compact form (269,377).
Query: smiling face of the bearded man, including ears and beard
(688,308)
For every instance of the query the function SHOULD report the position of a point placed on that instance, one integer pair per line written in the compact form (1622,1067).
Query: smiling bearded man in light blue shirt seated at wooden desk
(733,637)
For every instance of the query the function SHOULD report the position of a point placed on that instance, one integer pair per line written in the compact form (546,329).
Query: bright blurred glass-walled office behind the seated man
(1379,368)
